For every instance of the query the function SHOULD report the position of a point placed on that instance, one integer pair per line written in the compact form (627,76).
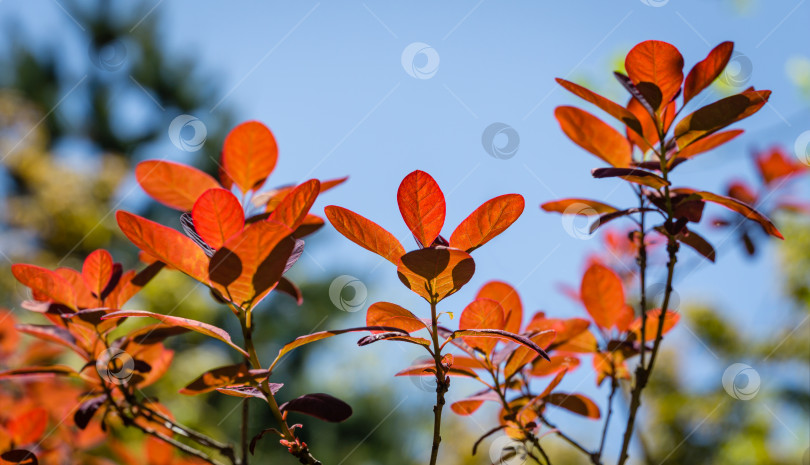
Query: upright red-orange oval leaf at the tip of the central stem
(421,203)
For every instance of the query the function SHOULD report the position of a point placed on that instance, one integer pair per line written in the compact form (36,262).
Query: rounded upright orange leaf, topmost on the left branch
(249,155)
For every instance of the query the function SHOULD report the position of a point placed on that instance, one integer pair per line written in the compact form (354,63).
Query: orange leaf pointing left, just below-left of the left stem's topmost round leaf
(173,184)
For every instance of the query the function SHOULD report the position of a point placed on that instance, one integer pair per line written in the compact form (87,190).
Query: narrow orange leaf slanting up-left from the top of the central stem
(365,233)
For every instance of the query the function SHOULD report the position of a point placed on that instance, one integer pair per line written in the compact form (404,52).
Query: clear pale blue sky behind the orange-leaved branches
(328,79)
